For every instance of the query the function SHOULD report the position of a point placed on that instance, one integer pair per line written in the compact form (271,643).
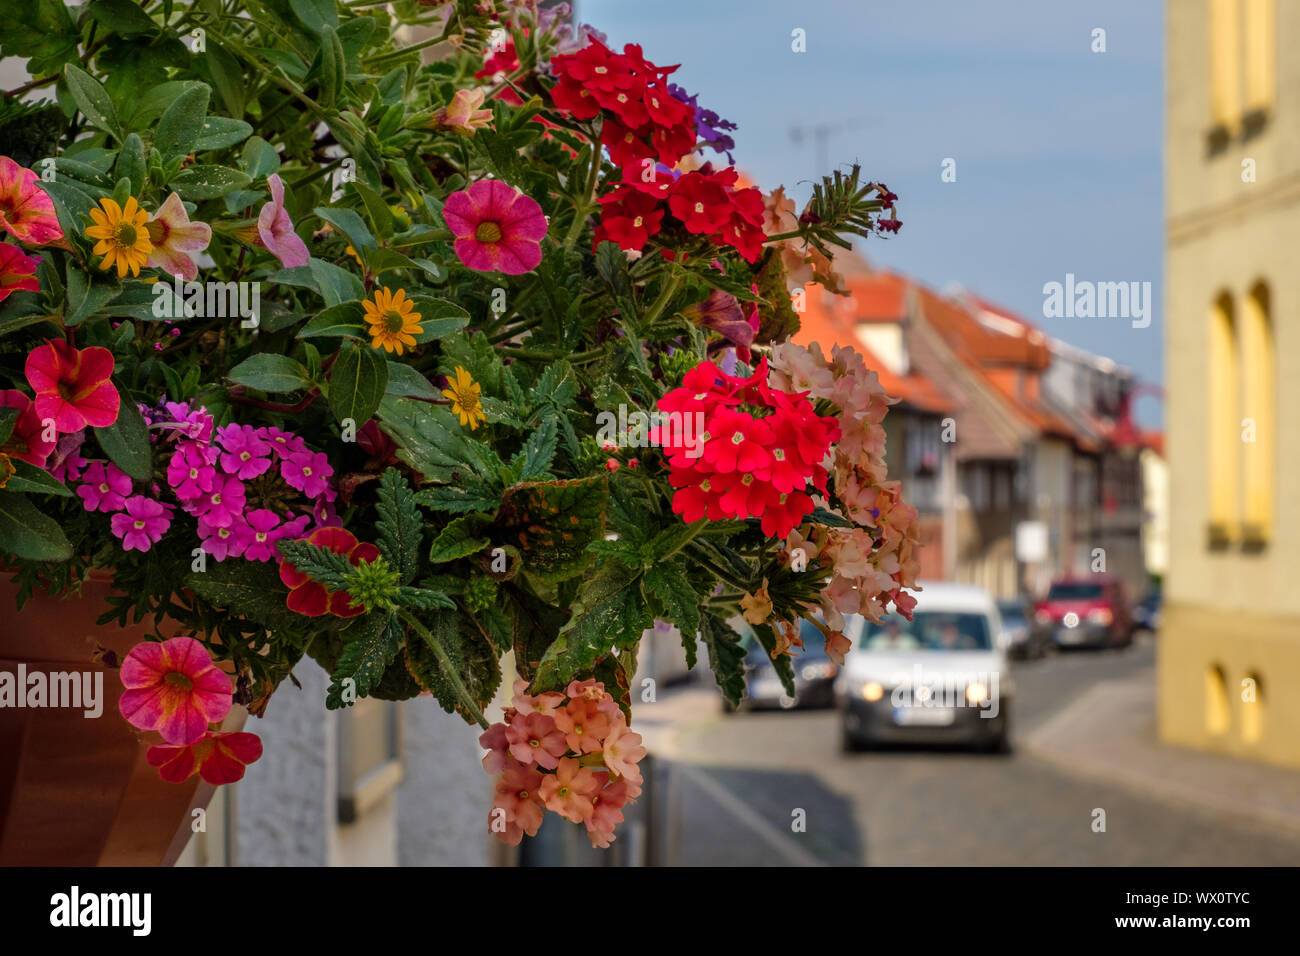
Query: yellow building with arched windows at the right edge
(1229,654)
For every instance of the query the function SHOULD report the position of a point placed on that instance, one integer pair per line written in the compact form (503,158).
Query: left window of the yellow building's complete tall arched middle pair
(1224,419)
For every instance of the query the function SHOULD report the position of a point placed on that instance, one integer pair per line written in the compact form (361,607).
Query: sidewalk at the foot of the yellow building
(1110,736)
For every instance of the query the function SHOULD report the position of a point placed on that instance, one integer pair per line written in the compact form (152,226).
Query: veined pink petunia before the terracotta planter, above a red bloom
(175,689)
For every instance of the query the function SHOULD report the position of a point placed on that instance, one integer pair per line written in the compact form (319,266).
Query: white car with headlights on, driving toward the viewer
(938,678)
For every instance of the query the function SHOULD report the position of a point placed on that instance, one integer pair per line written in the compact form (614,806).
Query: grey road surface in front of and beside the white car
(747,781)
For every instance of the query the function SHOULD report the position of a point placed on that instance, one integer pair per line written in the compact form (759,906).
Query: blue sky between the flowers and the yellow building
(1059,150)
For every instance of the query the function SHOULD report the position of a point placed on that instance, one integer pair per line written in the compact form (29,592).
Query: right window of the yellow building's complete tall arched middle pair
(1259,416)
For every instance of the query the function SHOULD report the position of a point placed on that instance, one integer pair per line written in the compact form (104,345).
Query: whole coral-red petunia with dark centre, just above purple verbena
(72,386)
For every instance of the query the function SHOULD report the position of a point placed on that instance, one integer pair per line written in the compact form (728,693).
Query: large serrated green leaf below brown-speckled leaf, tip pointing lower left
(609,612)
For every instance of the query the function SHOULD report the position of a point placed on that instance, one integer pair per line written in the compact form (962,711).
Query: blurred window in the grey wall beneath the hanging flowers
(370,756)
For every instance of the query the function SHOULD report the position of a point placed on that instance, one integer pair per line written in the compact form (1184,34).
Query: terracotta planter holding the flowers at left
(77,791)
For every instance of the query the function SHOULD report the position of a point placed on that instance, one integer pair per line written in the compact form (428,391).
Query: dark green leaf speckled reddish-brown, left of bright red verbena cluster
(553,522)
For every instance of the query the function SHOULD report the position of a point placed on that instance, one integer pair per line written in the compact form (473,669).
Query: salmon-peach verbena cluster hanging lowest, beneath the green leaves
(571,754)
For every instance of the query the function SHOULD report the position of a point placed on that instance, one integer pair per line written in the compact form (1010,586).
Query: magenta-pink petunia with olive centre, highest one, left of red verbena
(497,228)
